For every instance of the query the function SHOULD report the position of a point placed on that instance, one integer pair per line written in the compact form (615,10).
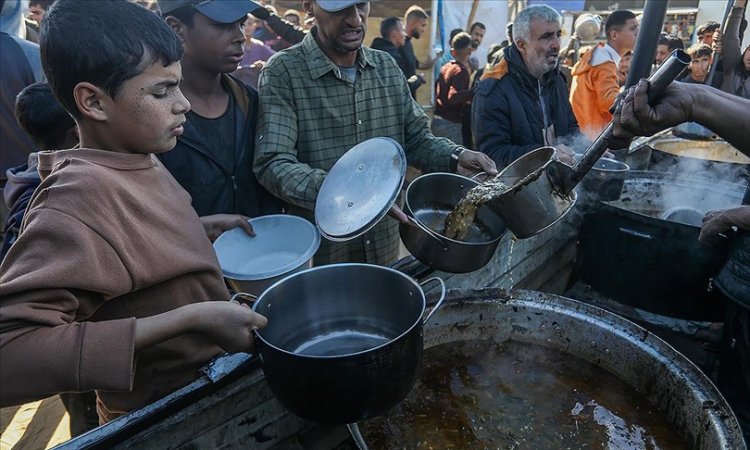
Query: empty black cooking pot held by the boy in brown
(344,341)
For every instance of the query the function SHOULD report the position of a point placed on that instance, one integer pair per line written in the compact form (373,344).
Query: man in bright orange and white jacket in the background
(595,86)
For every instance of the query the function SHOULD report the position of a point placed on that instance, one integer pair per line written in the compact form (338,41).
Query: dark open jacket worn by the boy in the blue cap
(214,189)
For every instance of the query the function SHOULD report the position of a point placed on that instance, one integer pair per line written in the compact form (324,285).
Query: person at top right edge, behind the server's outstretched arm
(736,64)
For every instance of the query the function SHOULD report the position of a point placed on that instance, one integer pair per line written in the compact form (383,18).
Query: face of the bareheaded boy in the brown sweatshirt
(148,112)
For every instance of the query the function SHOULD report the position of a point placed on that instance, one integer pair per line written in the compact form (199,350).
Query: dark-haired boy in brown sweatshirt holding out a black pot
(110,283)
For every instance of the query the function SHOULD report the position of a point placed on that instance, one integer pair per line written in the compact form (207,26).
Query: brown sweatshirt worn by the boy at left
(107,238)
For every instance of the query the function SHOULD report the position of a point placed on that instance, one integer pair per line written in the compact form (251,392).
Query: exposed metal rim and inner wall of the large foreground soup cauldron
(669,381)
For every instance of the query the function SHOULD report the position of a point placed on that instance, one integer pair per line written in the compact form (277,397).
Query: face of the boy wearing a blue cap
(213,46)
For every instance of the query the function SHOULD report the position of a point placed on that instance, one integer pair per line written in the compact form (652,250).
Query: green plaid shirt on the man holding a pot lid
(310,115)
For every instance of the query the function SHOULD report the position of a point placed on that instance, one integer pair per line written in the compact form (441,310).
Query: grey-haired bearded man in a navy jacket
(522,103)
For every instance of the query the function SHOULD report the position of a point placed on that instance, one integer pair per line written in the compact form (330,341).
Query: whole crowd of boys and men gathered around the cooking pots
(188,117)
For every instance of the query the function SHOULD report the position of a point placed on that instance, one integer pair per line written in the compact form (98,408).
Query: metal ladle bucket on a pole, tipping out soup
(532,204)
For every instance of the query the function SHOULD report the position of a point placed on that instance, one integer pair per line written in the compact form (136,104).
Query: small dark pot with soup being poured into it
(429,200)
